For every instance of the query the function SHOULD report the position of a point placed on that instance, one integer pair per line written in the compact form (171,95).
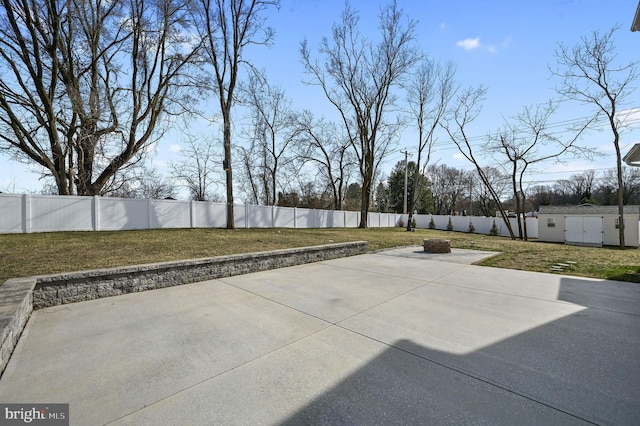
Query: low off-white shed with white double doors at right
(588,225)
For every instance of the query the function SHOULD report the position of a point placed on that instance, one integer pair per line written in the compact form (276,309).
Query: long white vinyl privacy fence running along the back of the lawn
(49,213)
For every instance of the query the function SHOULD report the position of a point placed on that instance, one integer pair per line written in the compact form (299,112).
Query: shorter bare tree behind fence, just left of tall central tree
(321,144)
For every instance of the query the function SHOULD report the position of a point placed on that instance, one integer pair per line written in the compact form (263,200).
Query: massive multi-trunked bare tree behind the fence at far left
(85,85)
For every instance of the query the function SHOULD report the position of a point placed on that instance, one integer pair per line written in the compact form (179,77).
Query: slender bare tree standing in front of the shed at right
(590,74)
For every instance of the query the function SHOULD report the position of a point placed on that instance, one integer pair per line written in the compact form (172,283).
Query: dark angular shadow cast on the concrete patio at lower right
(580,369)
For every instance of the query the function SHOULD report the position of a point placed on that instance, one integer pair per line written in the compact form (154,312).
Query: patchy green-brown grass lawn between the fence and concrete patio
(47,253)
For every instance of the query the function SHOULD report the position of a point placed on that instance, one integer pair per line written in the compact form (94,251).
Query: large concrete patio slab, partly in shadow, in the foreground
(396,337)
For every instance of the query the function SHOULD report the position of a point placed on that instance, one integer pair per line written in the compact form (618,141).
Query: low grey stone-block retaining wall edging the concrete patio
(19,296)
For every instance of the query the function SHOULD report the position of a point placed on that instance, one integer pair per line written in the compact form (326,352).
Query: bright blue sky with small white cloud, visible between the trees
(506,45)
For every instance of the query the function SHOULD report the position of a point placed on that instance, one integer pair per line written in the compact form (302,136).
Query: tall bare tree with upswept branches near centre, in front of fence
(358,78)
